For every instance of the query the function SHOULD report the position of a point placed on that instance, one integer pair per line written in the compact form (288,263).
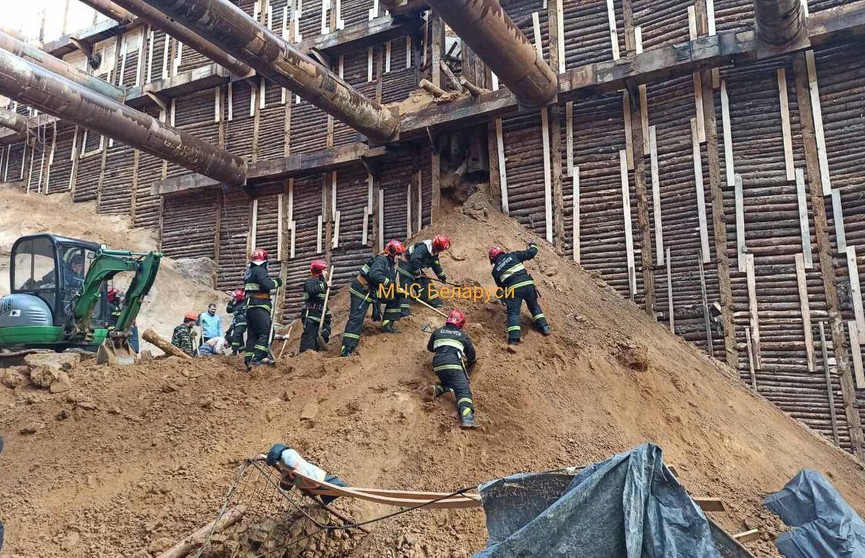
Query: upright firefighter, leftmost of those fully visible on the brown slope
(259,306)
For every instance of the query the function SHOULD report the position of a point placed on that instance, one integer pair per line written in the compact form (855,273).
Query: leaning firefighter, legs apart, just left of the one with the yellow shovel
(376,277)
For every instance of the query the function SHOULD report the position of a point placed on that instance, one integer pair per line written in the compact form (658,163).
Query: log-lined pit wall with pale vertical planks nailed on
(568,172)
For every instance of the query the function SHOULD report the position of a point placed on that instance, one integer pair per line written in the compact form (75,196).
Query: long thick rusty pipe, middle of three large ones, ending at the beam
(229,27)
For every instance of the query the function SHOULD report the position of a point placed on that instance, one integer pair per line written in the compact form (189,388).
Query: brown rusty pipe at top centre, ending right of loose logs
(494,37)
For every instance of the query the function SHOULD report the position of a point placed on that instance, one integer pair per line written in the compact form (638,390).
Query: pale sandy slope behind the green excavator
(171,296)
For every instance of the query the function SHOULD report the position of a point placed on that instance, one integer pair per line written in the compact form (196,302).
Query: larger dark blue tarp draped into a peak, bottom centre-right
(628,506)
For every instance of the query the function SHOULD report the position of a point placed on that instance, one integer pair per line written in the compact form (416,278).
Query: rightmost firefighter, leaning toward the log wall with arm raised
(510,273)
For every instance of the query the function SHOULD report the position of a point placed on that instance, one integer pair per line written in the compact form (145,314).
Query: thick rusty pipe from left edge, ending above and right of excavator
(35,86)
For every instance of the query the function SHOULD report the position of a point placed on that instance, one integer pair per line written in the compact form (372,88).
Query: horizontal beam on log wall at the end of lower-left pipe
(264,173)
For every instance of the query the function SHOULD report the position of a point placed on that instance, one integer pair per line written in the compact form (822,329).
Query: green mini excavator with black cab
(58,297)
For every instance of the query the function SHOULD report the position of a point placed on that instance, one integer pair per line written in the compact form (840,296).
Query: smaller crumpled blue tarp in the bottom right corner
(823,523)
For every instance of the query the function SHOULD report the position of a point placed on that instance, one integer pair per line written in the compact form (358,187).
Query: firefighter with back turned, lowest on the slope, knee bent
(454,357)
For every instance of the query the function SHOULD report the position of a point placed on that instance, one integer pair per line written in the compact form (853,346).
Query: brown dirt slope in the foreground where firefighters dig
(134,458)
